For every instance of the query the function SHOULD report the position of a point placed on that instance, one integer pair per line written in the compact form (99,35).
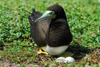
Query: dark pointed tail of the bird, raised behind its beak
(34,15)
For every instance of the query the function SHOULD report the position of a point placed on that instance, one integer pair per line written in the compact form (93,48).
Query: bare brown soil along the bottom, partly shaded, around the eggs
(80,54)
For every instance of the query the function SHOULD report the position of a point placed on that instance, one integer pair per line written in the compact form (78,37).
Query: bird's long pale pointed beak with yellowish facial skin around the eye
(46,15)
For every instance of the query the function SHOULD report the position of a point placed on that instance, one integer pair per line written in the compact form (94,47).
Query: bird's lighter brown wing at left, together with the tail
(38,29)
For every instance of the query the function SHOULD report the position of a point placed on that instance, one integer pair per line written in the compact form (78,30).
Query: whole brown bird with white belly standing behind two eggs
(50,30)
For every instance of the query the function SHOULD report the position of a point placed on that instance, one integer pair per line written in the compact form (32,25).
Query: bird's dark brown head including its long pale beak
(53,12)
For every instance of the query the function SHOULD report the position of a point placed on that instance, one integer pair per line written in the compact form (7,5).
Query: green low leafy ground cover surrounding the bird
(83,19)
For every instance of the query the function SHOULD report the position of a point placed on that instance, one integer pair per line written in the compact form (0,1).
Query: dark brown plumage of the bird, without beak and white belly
(54,32)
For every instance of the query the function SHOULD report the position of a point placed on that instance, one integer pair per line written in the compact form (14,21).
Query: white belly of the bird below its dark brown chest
(55,50)
